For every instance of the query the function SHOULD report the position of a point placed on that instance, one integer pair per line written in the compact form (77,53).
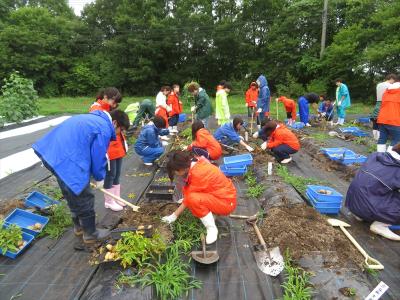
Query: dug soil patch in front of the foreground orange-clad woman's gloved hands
(151,214)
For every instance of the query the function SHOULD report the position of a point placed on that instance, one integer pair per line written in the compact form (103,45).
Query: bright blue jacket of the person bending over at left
(76,149)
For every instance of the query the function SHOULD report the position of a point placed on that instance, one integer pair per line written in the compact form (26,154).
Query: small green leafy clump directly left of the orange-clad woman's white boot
(188,228)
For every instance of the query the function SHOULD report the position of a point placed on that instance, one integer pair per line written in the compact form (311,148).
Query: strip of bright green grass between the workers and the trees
(77,105)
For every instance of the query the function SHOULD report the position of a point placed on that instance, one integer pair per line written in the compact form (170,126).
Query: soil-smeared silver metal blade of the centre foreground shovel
(269,262)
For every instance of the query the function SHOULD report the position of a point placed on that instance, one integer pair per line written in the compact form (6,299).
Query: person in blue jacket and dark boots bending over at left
(74,151)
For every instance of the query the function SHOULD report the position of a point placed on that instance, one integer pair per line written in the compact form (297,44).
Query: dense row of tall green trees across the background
(138,46)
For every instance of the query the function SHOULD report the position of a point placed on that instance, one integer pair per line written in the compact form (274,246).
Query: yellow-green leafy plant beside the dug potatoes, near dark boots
(136,248)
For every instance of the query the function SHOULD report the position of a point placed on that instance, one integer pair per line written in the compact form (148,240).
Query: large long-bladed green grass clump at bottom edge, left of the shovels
(170,279)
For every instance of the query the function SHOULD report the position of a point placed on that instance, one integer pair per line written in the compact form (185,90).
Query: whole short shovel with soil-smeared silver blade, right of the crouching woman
(271,261)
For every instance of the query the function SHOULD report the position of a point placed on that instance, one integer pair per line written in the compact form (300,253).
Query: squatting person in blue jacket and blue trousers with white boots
(148,145)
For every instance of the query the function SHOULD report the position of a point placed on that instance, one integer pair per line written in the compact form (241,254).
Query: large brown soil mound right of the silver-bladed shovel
(302,230)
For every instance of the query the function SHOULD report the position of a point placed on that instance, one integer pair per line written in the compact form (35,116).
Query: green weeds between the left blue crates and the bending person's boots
(60,220)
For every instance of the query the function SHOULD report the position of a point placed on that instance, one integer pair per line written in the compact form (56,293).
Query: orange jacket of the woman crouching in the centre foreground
(204,177)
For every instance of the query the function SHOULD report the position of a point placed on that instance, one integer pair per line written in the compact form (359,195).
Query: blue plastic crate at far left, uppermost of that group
(24,219)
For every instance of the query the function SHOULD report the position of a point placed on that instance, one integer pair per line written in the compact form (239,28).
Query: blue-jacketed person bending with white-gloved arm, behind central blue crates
(228,134)
